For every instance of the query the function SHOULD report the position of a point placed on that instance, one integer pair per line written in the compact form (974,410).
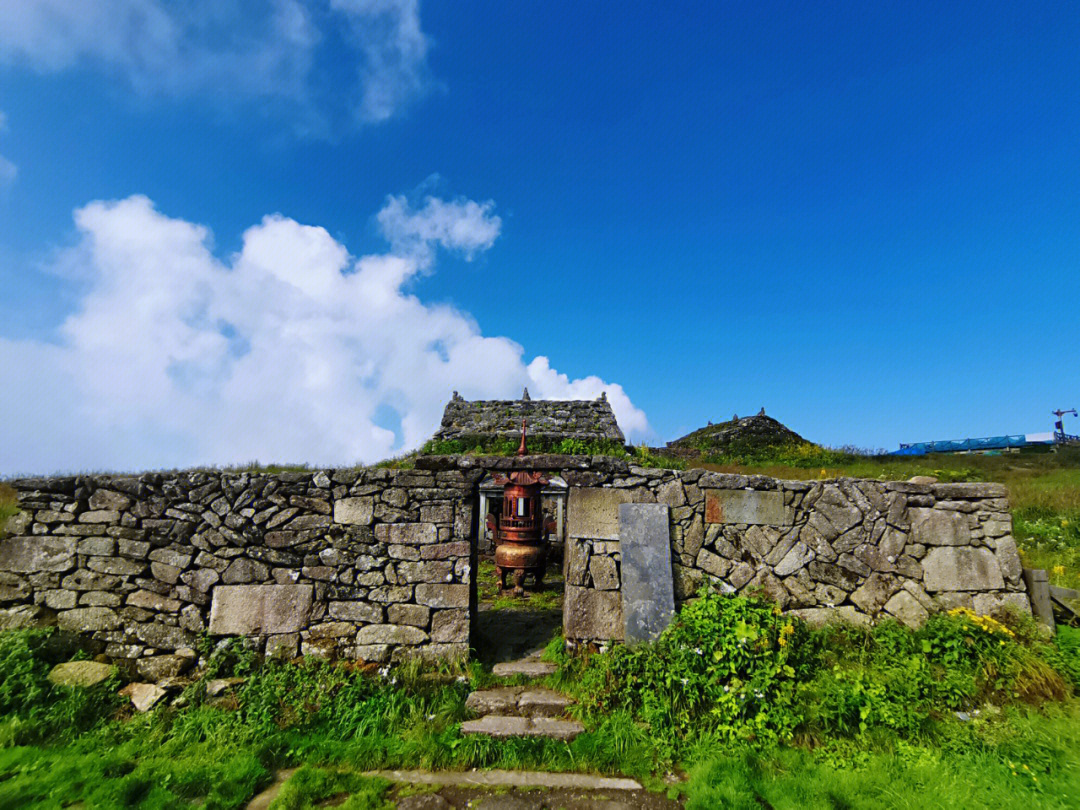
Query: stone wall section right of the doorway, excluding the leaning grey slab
(850,548)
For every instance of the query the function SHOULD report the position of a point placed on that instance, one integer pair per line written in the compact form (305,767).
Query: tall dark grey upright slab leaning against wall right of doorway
(649,600)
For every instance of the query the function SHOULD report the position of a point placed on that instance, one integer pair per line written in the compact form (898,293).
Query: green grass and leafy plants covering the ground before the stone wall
(830,719)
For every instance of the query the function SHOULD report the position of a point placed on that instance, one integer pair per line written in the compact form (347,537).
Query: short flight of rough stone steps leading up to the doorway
(522,711)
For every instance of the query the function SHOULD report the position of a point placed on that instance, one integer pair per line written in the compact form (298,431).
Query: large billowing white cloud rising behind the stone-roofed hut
(290,350)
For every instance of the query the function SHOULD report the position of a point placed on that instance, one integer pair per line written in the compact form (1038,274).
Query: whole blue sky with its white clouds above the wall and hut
(865,218)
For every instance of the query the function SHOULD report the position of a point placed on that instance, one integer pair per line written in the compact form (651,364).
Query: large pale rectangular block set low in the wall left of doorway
(260,610)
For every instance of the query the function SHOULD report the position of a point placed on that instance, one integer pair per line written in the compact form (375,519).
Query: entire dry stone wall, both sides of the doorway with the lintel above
(379,564)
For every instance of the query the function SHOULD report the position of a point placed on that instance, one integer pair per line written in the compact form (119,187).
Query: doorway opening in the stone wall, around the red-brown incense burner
(510,627)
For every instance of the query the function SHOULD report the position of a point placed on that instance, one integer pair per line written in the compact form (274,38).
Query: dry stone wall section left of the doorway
(371,564)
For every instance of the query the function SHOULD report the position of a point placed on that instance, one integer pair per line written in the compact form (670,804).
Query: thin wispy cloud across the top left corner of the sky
(229,49)
